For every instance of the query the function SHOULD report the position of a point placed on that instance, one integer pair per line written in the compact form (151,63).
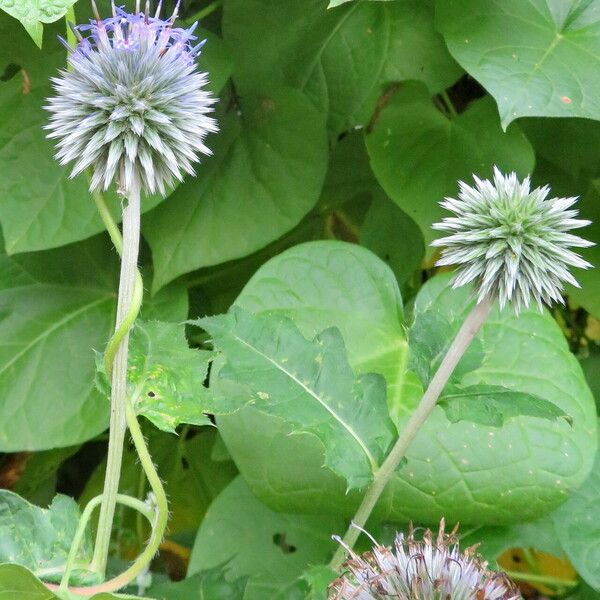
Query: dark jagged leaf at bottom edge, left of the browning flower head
(205,585)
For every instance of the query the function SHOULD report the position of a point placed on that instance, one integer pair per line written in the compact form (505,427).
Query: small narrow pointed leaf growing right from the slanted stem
(493,405)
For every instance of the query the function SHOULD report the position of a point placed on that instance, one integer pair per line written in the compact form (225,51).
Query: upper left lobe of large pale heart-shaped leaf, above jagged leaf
(320,284)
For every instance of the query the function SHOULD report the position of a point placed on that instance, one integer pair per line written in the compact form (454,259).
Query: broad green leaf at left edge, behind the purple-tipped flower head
(49,209)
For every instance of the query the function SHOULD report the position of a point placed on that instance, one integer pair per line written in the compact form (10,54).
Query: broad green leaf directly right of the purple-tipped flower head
(265,175)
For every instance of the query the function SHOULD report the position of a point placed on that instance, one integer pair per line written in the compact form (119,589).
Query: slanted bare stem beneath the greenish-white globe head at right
(383,475)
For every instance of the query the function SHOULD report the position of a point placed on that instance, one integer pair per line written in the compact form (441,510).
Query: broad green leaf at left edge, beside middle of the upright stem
(57,308)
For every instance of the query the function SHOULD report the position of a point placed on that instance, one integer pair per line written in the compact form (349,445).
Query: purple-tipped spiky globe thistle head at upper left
(132,107)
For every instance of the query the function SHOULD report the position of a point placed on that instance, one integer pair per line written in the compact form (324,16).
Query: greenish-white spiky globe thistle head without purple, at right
(513,242)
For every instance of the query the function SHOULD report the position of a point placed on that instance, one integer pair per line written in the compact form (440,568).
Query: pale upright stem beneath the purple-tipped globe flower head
(128,305)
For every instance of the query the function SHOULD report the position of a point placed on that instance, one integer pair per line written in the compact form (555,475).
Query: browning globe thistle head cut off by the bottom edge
(431,568)
